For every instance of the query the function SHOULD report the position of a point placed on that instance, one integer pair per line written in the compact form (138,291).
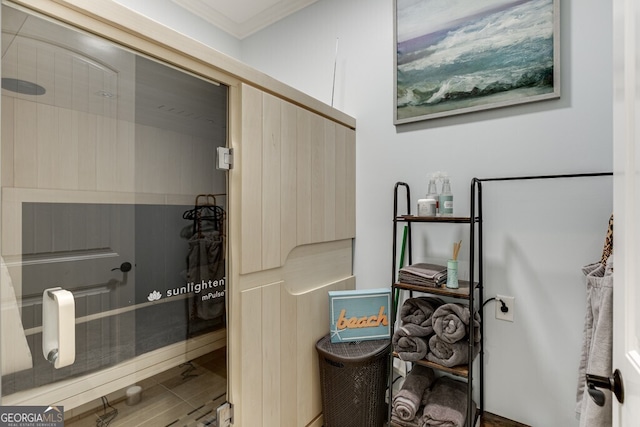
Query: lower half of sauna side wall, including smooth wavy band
(291,309)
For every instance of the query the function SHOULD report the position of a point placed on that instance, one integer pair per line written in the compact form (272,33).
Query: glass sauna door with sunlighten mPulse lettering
(110,198)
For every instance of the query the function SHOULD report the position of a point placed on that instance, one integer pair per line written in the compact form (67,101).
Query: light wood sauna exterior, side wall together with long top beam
(291,215)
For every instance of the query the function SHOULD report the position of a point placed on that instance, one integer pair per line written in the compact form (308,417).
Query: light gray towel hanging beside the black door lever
(597,345)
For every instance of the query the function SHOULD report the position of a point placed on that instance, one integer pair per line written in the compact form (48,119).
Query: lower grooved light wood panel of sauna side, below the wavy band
(280,375)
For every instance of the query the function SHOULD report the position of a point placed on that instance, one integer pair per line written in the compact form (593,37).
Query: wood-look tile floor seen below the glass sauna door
(187,395)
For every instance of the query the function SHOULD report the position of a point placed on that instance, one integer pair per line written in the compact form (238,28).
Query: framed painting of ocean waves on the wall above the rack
(459,56)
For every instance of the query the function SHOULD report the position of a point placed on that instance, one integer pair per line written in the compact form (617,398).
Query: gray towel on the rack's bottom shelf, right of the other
(446,404)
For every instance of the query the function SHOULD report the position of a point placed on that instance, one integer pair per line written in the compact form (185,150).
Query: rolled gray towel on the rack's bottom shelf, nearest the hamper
(409,398)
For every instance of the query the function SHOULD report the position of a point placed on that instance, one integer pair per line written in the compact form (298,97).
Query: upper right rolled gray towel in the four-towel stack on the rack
(451,322)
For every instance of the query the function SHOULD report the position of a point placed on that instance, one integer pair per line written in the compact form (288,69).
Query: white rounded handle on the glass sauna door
(58,327)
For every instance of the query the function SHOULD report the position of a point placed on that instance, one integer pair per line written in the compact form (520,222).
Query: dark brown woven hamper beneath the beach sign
(353,378)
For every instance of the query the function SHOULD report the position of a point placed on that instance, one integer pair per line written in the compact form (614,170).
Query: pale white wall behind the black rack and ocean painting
(538,234)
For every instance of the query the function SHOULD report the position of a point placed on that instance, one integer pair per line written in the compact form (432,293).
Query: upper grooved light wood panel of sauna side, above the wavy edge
(298,186)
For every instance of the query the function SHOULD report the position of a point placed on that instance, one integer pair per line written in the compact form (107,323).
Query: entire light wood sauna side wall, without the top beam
(296,177)
